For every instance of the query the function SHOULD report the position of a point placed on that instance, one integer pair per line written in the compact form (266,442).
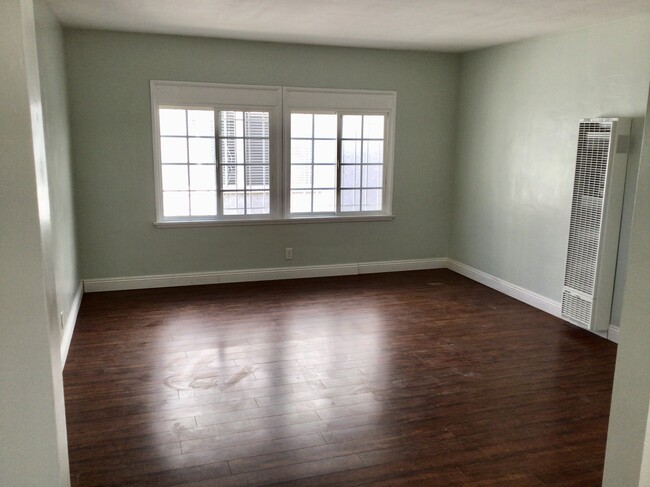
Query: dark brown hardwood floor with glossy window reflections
(415,378)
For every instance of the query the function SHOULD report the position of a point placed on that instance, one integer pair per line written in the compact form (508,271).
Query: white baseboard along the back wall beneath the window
(247,275)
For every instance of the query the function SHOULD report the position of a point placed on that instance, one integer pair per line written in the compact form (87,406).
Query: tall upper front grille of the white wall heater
(587,205)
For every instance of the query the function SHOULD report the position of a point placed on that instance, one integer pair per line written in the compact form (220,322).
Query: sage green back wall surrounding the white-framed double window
(108,85)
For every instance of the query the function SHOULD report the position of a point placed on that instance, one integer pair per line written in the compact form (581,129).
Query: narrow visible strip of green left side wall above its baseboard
(49,40)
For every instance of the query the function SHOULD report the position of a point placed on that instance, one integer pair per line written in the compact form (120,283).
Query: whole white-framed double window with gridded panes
(234,153)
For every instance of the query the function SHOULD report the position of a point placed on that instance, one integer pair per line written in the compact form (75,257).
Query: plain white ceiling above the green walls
(439,25)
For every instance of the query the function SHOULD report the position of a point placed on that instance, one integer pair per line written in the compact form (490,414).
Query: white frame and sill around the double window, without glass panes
(279,102)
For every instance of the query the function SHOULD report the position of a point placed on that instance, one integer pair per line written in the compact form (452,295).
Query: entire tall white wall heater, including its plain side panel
(595,222)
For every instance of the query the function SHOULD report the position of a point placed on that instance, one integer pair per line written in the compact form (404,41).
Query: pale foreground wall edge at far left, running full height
(33,445)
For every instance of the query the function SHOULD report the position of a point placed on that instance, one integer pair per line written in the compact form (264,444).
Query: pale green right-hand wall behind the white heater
(517,130)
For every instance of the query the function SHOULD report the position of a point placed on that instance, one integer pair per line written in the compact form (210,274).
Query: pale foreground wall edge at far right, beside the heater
(627,461)
